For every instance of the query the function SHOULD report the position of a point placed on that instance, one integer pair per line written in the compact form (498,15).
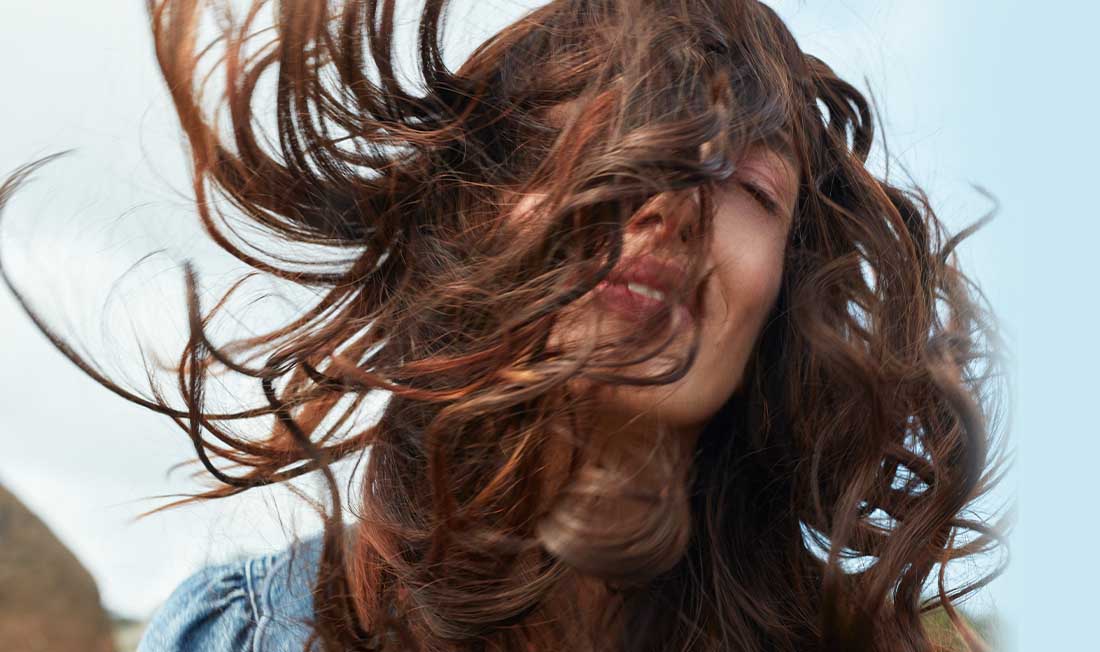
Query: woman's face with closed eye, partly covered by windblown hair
(752,223)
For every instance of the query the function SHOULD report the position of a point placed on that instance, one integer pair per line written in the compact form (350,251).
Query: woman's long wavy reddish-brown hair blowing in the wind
(824,500)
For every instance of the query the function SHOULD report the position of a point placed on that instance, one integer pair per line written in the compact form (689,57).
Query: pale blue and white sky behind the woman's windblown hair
(989,93)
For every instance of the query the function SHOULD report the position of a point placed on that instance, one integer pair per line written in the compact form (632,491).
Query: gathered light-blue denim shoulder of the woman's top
(261,604)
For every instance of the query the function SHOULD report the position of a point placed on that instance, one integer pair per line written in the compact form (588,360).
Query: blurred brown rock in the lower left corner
(49,602)
